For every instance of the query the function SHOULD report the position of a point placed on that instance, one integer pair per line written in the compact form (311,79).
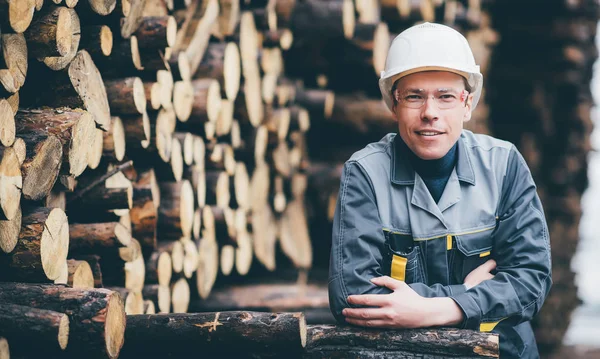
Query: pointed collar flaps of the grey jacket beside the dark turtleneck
(402,172)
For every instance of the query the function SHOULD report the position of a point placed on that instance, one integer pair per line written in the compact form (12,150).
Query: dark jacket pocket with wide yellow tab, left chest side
(404,260)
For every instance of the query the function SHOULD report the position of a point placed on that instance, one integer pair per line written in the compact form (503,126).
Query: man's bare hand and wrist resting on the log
(403,308)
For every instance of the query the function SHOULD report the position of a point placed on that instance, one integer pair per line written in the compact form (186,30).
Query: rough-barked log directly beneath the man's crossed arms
(326,341)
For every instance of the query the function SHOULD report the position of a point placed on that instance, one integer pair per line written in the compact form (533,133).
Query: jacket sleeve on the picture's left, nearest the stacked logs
(357,241)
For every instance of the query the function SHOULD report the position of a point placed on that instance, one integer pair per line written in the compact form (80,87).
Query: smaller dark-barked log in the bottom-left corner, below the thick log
(20,324)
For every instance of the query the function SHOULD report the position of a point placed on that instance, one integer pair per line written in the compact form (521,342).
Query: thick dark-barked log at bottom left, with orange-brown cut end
(97,318)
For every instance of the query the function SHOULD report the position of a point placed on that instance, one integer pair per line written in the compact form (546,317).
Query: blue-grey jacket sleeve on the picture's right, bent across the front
(522,252)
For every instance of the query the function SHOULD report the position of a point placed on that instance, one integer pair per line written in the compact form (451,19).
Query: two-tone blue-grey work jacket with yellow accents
(387,223)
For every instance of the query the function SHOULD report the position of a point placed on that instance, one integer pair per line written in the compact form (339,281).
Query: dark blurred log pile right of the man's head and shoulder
(541,100)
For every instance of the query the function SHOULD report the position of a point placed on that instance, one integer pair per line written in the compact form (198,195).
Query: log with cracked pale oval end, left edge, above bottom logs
(41,251)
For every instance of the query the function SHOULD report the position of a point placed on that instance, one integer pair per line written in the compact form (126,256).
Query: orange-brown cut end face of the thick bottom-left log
(114,330)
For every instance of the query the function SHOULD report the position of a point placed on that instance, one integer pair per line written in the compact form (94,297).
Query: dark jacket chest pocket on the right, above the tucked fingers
(475,249)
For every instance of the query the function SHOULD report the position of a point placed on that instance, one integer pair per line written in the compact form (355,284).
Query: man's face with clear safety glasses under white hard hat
(427,130)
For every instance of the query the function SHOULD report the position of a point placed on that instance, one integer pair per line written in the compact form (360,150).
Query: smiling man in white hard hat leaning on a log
(435,225)
